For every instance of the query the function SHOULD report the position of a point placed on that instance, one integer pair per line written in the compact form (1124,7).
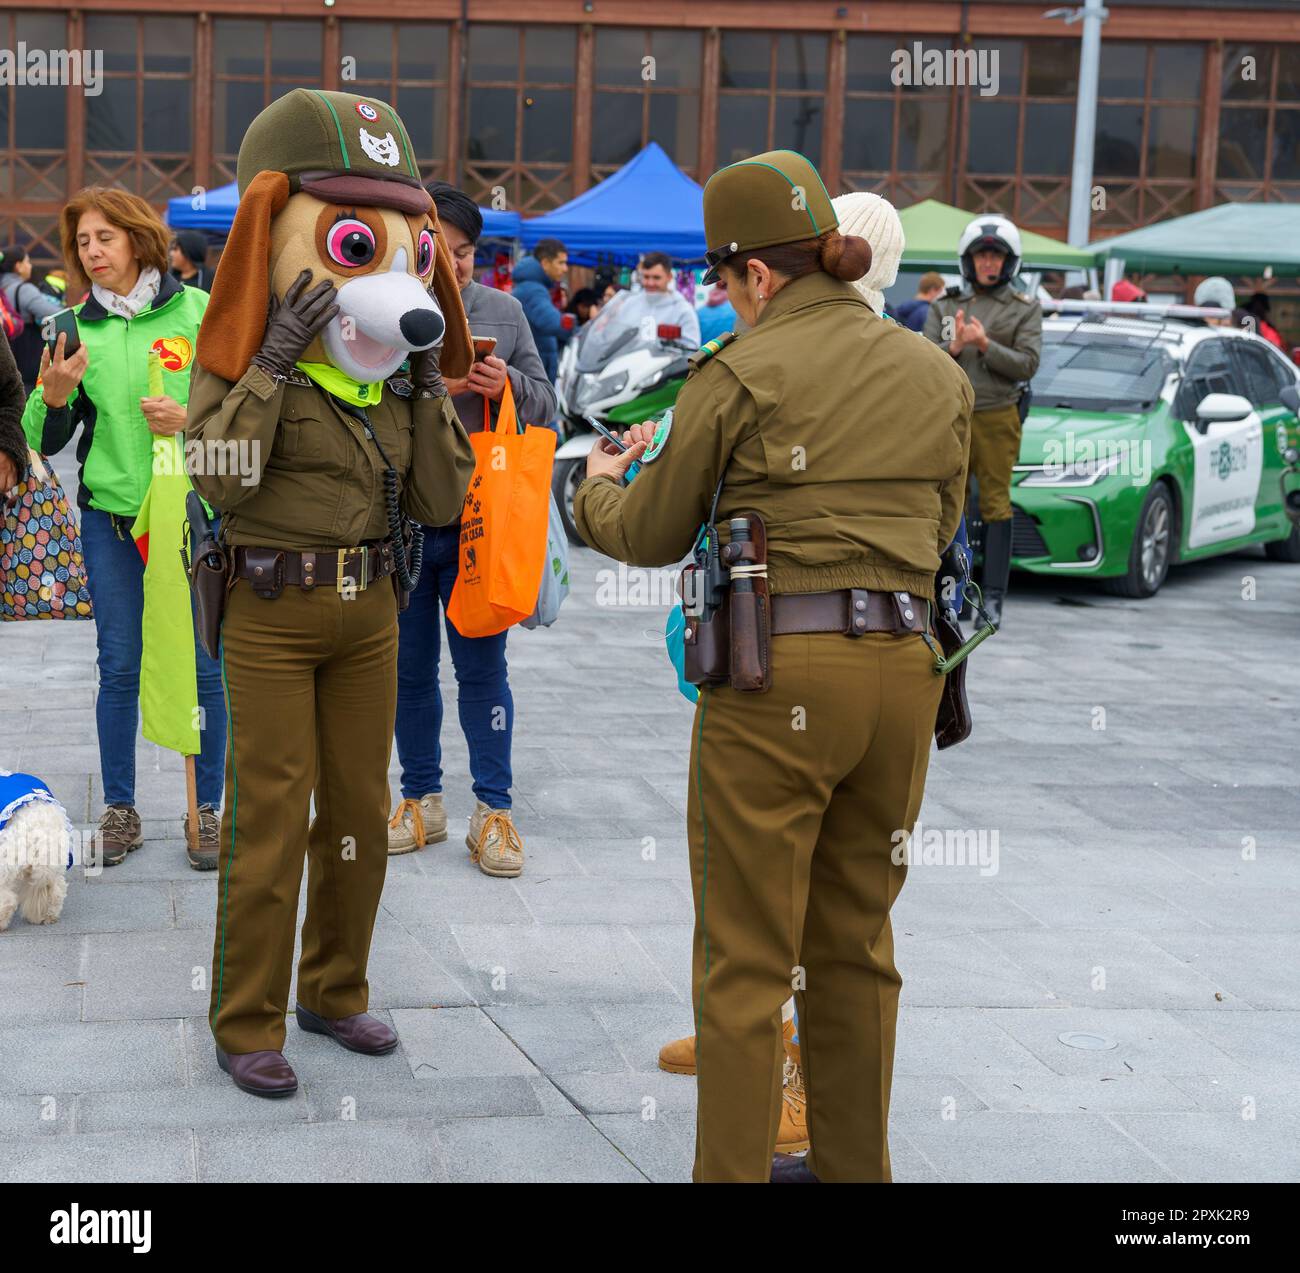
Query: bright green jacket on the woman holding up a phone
(116,448)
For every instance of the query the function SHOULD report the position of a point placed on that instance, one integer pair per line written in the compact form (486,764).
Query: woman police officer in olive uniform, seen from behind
(850,438)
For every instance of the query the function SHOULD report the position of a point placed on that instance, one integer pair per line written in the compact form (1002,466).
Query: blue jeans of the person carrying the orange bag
(484,699)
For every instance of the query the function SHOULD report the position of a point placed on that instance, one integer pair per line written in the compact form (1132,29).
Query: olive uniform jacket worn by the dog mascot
(318,482)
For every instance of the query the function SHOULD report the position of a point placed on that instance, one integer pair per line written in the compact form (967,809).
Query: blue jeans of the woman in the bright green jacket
(115,575)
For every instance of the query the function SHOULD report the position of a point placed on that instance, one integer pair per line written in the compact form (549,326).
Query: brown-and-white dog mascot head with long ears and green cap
(328,184)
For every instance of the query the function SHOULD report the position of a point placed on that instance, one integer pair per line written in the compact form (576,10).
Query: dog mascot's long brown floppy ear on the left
(236,319)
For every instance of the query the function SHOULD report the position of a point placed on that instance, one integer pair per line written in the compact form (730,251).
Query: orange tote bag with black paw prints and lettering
(504,525)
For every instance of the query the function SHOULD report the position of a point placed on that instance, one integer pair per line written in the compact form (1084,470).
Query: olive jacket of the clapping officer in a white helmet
(1015,327)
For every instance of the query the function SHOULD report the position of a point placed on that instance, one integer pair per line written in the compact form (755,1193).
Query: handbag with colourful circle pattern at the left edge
(42,571)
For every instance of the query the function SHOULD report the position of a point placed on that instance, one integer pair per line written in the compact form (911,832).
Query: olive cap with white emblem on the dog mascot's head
(339,146)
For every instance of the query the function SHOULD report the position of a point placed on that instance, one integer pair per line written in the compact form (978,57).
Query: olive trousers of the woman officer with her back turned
(798,799)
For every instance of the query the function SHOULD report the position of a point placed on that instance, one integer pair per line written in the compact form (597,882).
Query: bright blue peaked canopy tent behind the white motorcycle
(648,206)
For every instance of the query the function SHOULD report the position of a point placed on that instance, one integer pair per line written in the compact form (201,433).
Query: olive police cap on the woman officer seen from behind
(774,198)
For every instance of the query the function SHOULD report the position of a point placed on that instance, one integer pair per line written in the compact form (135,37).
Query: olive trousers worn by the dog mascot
(311,695)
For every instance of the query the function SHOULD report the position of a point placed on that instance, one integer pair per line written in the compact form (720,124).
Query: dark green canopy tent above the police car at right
(1234,239)
